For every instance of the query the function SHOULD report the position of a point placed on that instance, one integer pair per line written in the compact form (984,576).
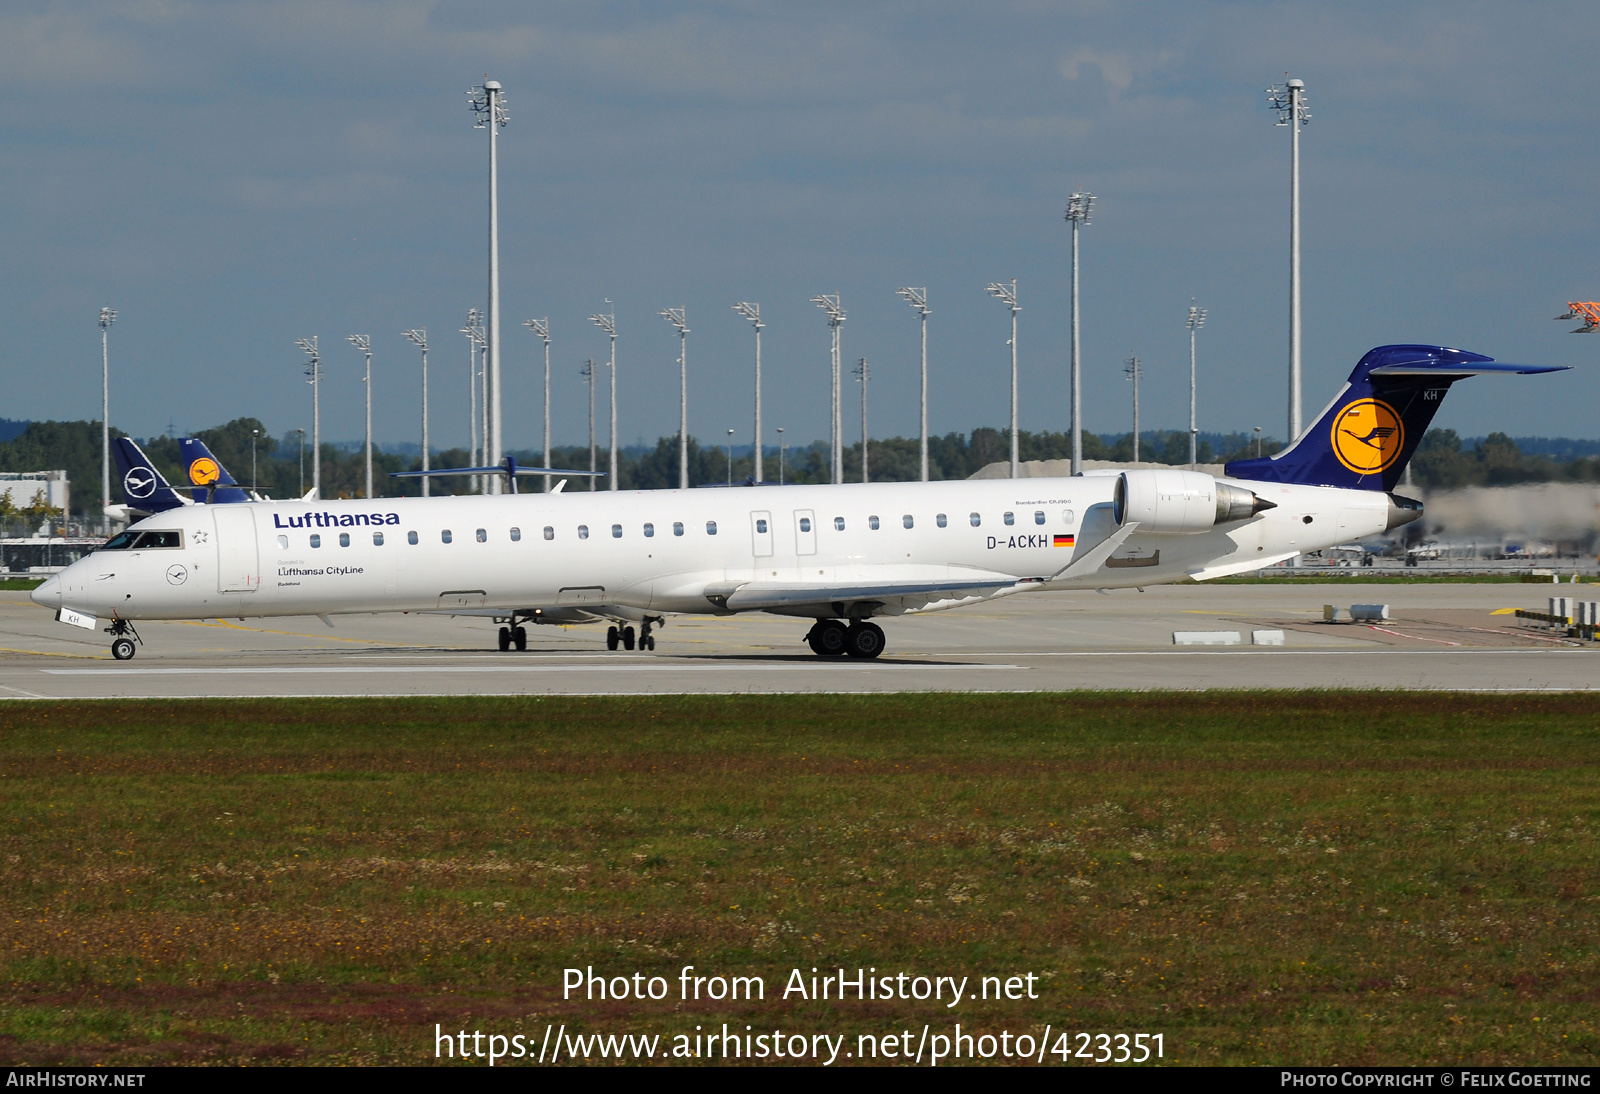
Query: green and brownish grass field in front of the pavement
(1260,879)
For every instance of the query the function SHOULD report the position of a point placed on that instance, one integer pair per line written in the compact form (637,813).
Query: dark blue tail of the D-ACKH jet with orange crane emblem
(1367,434)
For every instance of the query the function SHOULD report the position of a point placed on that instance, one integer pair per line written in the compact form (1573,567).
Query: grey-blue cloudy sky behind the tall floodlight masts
(233,177)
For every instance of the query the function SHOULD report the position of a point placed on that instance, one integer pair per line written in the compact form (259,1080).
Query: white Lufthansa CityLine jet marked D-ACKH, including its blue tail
(841,556)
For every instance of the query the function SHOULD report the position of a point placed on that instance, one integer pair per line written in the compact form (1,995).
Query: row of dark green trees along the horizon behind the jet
(284,466)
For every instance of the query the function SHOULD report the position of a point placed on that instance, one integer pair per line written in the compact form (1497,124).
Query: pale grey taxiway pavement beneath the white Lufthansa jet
(1439,637)
